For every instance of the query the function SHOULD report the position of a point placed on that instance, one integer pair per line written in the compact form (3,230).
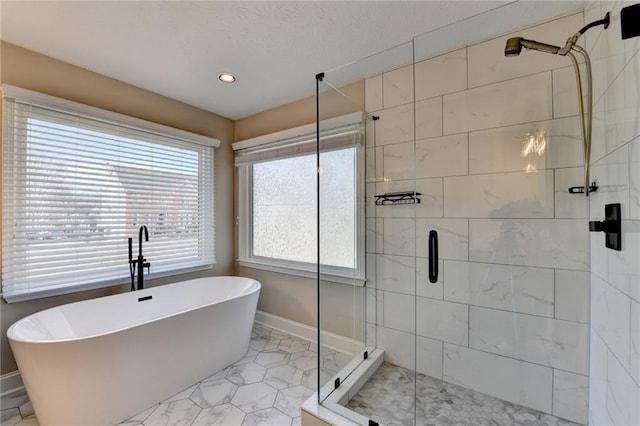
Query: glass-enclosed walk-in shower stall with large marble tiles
(464,298)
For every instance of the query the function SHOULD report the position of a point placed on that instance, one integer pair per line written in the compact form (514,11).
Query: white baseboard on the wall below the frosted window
(304,331)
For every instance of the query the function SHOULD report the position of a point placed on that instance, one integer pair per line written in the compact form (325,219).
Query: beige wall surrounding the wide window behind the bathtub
(30,70)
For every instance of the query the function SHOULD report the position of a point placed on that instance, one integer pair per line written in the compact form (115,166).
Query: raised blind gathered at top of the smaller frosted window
(347,136)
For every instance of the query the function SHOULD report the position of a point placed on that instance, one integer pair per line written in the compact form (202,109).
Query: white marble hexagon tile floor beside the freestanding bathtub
(266,387)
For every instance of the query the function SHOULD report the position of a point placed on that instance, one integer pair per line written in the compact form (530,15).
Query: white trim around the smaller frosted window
(355,276)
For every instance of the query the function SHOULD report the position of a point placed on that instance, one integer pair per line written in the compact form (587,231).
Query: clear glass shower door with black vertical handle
(493,146)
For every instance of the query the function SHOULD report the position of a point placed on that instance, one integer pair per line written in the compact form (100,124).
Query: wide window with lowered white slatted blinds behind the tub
(78,181)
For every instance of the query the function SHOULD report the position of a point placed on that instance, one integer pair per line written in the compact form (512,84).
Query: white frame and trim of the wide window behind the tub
(27,97)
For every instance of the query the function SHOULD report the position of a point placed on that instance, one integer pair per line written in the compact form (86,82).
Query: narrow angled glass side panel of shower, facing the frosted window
(341,292)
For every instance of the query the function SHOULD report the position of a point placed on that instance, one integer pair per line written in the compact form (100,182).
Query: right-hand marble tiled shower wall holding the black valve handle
(615,275)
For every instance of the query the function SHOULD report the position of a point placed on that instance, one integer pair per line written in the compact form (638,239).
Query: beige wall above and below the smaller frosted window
(289,296)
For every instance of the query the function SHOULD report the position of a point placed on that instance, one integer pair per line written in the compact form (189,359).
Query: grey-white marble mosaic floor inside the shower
(388,398)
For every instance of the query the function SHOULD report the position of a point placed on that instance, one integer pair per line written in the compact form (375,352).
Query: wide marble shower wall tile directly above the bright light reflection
(521,100)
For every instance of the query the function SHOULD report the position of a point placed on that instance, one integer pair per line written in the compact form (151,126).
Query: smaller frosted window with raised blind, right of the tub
(278,185)
